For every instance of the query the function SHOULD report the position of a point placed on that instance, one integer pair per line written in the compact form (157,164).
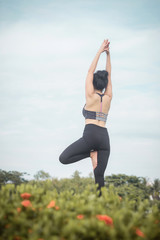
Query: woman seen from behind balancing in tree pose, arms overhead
(95,142)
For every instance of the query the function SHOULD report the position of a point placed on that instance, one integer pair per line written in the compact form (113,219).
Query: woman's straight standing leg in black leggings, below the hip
(102,160)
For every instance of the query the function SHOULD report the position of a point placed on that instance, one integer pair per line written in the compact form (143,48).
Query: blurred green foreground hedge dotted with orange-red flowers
(71,214)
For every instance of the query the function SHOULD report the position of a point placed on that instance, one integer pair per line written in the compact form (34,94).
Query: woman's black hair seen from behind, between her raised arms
(100,79)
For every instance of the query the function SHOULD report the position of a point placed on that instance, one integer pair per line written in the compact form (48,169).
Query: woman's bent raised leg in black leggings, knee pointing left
(75,152)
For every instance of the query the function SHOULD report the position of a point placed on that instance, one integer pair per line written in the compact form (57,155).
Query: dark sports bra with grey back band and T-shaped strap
(95,115)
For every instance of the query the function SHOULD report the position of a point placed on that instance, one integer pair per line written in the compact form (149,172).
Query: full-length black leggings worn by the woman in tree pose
(94,138)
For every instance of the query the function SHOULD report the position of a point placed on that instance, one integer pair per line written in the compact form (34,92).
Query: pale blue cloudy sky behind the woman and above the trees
(46,48)
